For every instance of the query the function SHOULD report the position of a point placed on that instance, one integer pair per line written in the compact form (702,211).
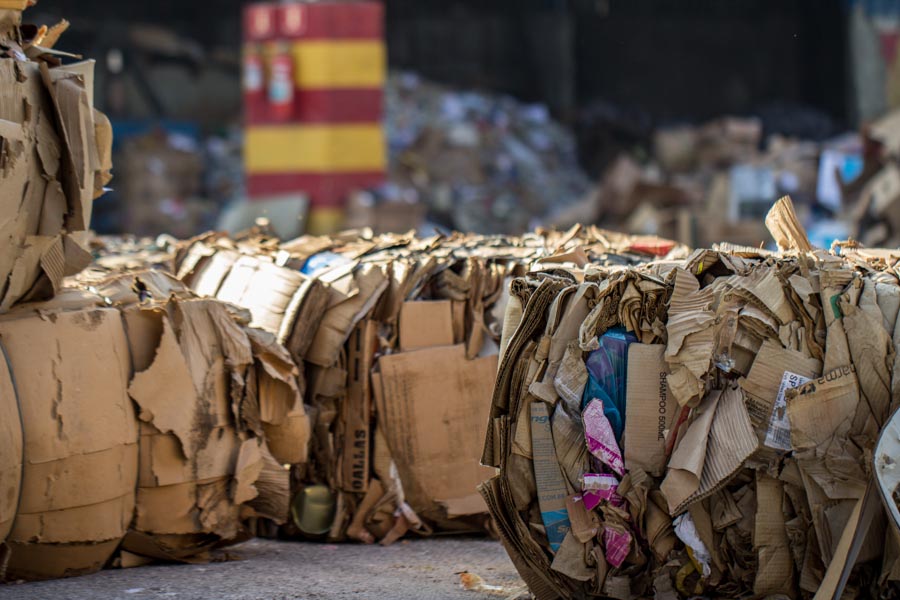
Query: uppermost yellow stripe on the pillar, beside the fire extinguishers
(339,64)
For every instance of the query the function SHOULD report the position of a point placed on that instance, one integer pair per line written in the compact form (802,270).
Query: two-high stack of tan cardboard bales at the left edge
(130,406)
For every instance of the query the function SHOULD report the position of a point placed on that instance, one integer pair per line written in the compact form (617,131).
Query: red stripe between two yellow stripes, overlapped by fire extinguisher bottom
(319,106)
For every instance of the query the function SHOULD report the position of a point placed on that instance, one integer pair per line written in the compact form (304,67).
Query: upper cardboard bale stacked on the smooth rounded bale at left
(55,160)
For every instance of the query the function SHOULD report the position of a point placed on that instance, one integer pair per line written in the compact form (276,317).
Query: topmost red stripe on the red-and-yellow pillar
(331,20)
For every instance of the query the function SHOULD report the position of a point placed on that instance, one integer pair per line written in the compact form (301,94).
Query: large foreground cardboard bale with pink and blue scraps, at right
(701,426)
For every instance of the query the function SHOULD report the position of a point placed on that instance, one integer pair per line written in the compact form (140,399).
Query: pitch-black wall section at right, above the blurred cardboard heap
(701,58)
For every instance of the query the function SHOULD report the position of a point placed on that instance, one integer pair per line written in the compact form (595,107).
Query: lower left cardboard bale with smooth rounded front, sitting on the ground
(144,427)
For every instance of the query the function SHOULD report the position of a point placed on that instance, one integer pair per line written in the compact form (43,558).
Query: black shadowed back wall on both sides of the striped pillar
(668,59)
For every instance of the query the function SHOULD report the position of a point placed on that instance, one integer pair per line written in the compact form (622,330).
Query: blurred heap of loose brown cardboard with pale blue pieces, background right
(713,181)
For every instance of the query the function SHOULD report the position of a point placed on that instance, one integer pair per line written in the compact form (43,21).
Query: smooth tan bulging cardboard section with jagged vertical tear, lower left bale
(81,452)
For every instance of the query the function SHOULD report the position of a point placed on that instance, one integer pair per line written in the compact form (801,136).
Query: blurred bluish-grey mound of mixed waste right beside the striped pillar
(477,162)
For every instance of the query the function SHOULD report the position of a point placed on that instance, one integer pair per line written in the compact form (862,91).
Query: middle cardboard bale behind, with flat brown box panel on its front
(378,323)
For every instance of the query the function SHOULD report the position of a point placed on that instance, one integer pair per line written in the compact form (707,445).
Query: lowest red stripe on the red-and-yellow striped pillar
(324,190)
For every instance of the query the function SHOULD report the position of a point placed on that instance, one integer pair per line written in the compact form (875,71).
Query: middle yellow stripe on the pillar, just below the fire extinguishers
(314,148)
